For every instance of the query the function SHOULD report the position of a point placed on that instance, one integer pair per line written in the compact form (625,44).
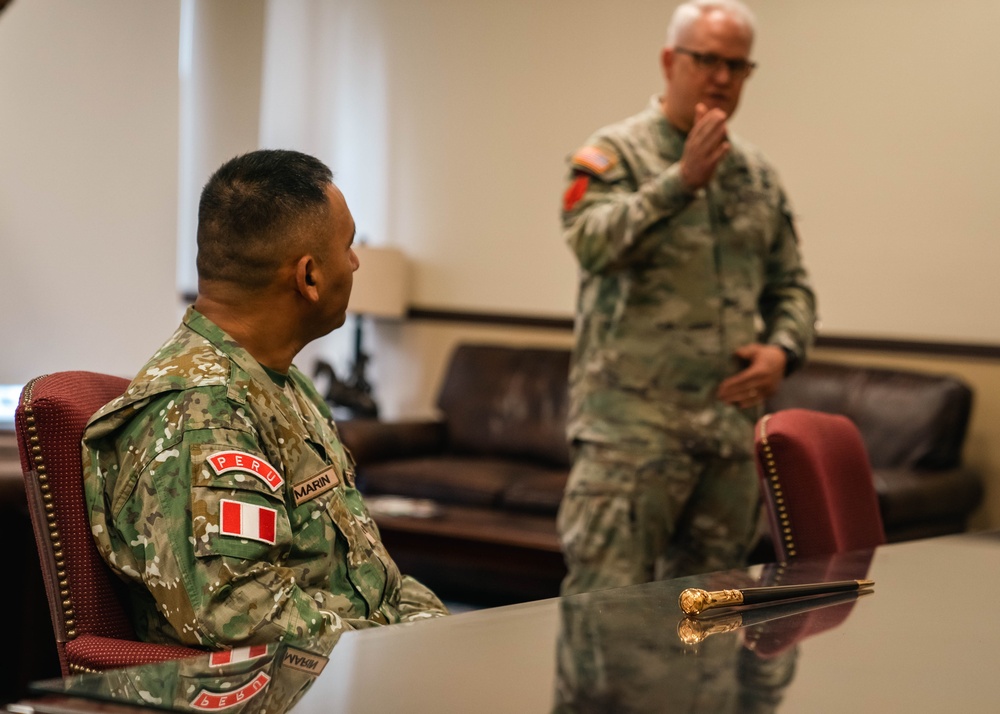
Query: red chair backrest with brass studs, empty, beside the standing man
(816,483)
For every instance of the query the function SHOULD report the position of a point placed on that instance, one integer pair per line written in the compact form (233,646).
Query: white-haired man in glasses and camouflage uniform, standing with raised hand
(693,304)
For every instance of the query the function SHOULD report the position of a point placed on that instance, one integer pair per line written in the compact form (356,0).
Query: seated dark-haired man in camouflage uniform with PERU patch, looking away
(217,485)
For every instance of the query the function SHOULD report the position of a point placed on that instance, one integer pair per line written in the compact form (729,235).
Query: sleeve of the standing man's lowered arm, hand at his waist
(788,303)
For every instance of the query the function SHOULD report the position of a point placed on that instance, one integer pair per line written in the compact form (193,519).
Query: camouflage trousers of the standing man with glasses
(632,516)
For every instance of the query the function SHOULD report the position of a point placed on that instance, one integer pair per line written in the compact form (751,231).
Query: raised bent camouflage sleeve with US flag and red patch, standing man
(606,216)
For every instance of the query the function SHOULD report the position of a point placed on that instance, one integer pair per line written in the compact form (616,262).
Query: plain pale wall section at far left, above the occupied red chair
(88,184)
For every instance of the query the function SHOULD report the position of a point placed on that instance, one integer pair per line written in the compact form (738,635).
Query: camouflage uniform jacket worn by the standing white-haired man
(671,283)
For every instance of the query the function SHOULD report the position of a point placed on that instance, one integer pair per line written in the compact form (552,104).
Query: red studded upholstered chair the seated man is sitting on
(92,628)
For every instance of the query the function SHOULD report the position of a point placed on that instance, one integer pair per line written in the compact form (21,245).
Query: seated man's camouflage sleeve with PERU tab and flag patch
(211,546)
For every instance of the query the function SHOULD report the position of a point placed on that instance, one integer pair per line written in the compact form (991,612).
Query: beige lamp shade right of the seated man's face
(381,282)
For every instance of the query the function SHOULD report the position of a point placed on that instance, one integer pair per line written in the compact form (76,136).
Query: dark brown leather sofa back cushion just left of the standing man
(507,401)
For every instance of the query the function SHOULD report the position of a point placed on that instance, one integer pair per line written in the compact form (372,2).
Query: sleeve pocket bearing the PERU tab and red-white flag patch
(237,504)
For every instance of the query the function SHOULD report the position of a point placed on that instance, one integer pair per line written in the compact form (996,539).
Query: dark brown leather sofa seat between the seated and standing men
(469,481)
